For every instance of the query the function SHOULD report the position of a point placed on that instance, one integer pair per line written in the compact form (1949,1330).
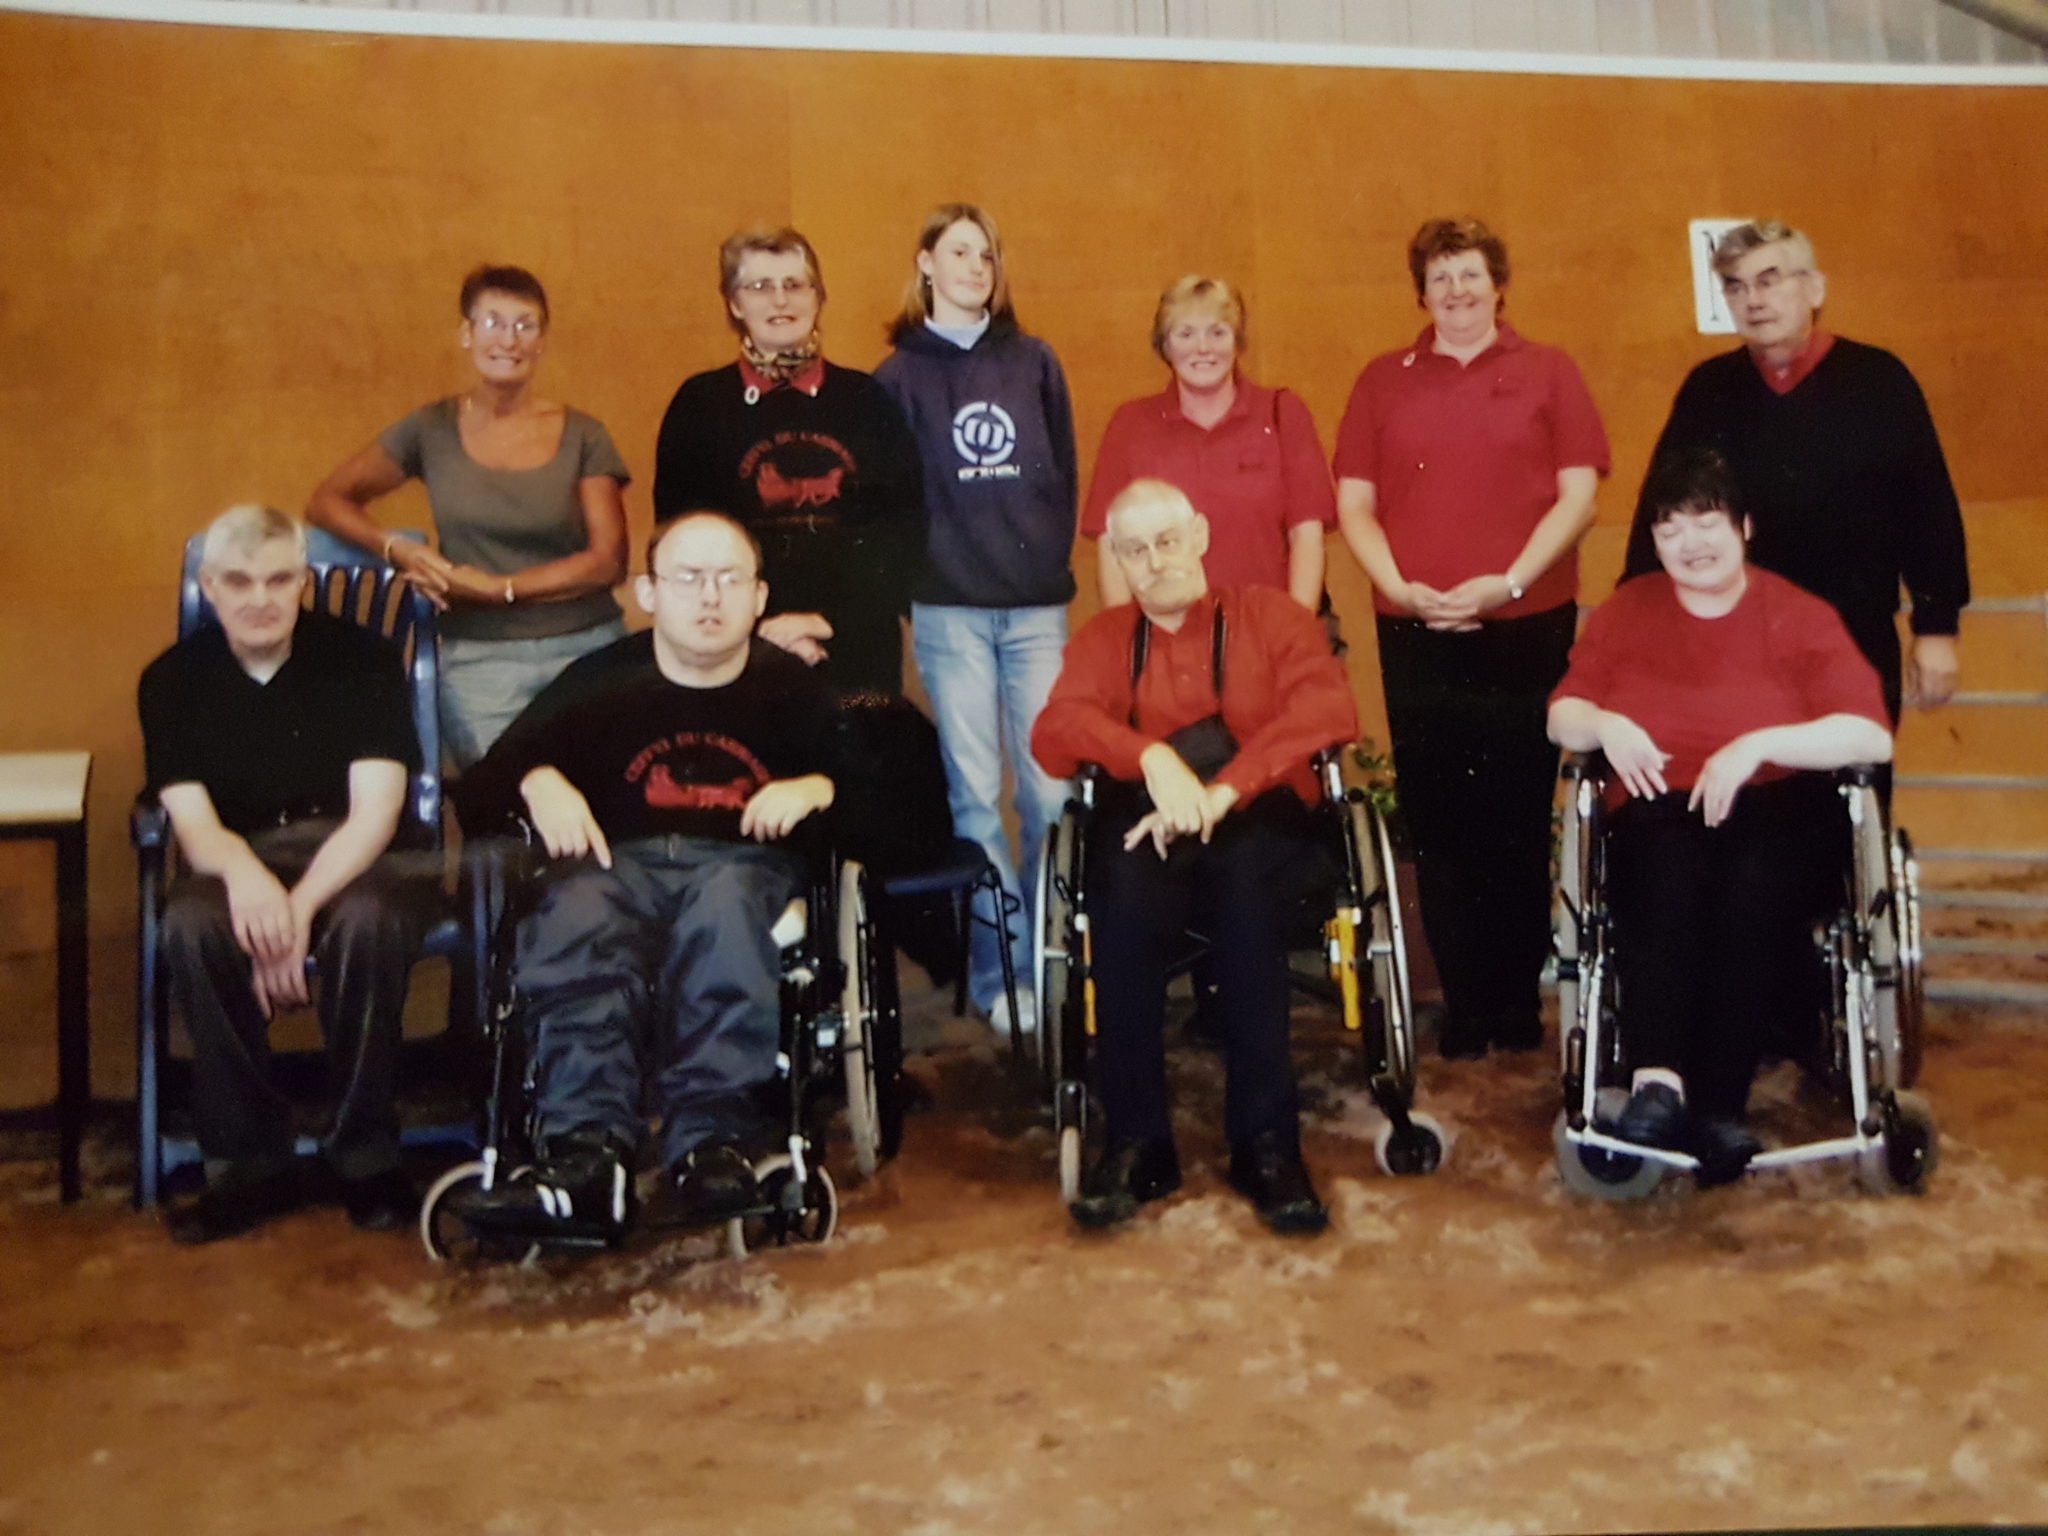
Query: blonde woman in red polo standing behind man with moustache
(1246,456)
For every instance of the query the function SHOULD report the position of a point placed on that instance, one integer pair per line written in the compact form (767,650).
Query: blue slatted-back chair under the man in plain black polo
(357,587)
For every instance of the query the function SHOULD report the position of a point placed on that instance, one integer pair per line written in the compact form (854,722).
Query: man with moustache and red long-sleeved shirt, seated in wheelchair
(1205,712)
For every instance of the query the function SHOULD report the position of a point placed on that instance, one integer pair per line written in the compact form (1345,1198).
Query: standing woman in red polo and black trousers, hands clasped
(1467,466)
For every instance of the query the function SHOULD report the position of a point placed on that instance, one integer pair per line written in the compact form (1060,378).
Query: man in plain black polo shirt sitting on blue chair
(282,744)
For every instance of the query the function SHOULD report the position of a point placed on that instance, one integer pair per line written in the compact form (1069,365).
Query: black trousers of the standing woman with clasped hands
(1478,779)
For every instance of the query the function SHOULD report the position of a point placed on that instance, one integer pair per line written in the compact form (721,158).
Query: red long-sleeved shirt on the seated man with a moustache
(1285,697)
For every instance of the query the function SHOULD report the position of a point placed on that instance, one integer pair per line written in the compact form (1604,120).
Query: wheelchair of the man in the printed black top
(843,1048)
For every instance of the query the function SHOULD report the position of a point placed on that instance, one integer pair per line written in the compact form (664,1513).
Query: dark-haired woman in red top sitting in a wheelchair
(1721,697)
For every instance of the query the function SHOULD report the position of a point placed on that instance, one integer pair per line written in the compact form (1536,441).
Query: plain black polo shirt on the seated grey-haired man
(280,751)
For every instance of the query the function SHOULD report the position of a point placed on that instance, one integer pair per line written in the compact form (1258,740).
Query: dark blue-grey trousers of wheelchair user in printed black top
(658,974)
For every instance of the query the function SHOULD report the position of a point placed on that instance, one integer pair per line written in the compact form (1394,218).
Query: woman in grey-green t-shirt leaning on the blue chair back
(527,511)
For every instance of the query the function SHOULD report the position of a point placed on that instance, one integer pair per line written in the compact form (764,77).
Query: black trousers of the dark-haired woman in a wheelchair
(1713,929)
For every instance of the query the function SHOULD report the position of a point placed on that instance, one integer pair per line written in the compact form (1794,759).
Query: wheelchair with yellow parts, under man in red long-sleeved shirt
(1363,953)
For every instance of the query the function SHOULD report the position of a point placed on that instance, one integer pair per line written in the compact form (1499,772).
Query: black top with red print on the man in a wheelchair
(656,757)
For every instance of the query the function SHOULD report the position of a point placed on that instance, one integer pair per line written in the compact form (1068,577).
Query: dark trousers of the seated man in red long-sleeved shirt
(1242,890)
